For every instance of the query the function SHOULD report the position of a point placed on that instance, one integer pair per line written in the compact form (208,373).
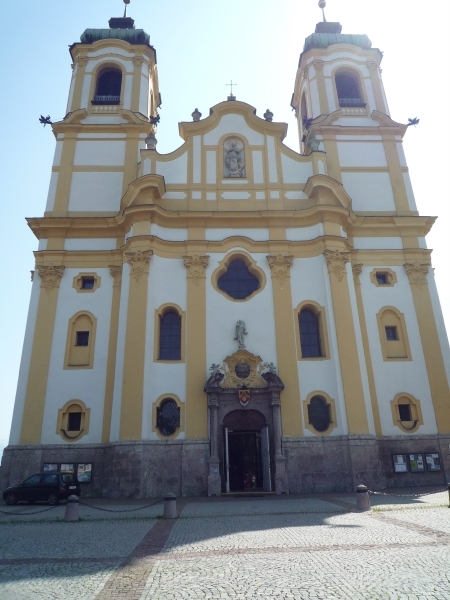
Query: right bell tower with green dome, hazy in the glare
(342,110)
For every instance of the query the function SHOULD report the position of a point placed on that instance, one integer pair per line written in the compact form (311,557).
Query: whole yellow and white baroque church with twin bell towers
(232,316)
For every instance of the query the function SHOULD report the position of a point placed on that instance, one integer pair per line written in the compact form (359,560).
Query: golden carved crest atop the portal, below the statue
(243,370)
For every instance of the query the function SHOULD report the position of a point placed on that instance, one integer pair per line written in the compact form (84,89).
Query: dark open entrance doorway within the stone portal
(245,460)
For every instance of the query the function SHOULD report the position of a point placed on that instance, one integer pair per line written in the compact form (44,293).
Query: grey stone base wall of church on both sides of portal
(153,469)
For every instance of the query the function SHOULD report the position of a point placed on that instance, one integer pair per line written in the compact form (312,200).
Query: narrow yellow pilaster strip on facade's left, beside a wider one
(116,274)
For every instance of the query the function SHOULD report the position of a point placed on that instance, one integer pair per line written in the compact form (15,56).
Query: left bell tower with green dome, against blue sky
(113,96)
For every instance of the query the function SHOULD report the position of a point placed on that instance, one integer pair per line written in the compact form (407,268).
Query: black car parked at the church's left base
(50,487)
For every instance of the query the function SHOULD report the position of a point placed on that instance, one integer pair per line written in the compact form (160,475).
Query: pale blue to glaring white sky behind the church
(201,45)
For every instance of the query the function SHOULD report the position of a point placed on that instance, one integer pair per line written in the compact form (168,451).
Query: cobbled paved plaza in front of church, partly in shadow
(306,547)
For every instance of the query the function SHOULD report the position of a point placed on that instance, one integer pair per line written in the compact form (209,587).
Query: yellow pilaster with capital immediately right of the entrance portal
(286,347)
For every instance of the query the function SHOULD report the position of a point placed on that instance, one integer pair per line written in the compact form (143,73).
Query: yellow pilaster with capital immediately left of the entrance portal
(196,413)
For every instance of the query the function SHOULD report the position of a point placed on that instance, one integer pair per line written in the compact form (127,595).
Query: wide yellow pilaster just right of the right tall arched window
(346,338)
